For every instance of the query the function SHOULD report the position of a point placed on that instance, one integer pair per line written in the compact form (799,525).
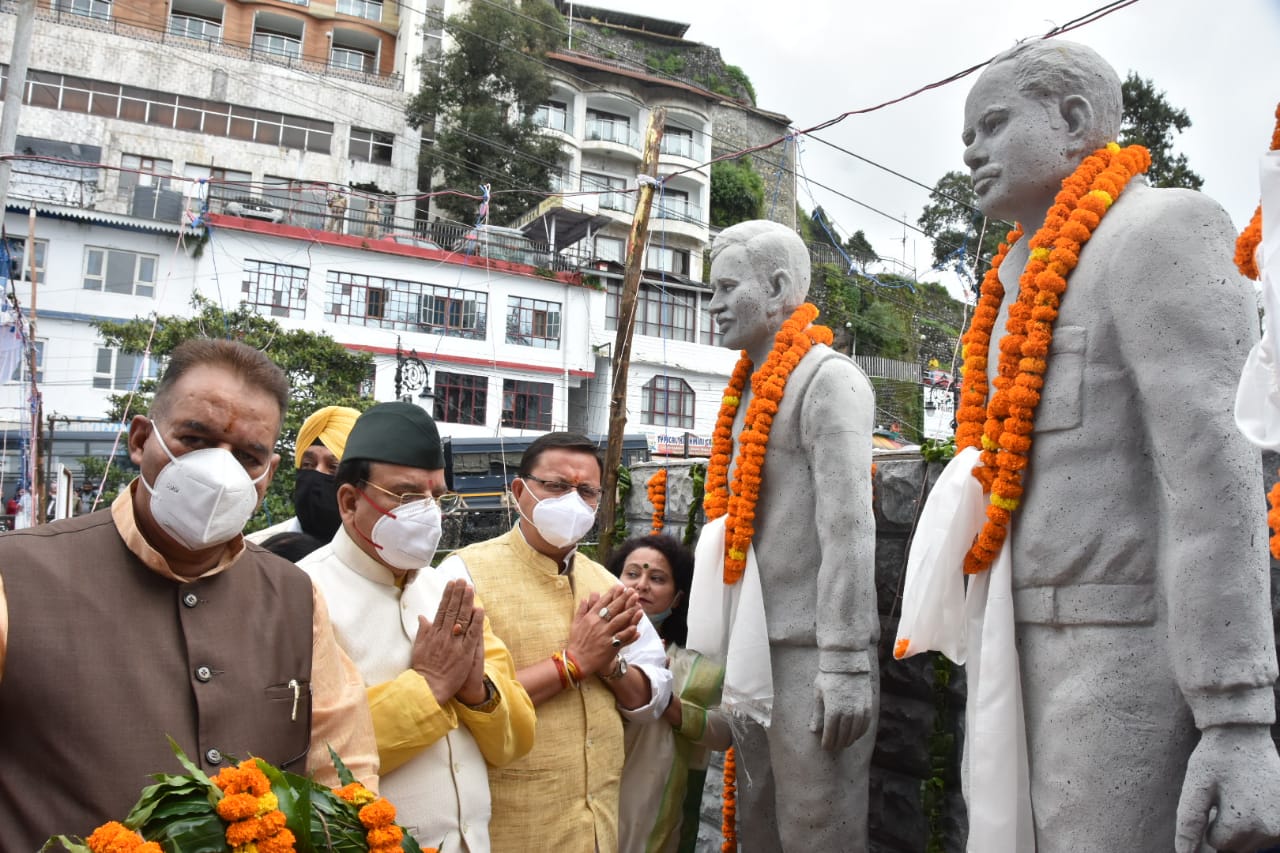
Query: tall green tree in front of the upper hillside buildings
(482,106)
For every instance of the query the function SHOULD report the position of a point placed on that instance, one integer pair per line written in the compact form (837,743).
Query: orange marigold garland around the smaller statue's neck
(793,341)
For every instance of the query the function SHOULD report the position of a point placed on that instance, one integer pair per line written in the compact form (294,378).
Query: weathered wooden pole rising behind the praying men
(627,321)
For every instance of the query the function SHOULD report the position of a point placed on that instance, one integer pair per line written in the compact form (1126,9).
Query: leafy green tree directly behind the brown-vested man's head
(321,372)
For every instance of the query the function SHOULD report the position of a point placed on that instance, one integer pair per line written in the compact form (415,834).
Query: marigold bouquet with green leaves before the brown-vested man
(250,809)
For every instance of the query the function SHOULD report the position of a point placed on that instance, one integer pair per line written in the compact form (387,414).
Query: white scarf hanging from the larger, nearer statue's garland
(975,628)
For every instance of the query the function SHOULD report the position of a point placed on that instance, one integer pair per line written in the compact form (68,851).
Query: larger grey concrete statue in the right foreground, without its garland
(1140,581)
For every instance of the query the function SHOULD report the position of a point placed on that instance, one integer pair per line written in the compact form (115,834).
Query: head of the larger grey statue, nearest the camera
(1030,121)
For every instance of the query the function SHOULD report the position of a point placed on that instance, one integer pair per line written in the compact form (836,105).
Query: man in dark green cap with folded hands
(442,687)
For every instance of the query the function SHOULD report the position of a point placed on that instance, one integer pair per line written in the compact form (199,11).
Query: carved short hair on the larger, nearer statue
(1050,70)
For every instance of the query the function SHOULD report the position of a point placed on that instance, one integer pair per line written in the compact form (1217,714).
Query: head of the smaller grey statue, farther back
(760,277)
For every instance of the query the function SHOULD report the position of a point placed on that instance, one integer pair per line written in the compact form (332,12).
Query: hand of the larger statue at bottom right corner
(1237,770)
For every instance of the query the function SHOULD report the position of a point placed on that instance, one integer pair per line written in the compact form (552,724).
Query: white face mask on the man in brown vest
(203,499)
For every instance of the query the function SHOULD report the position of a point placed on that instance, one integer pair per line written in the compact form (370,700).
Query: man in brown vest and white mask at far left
(154,618)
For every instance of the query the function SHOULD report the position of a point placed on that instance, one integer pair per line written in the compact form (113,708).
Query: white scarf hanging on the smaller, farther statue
(728,624)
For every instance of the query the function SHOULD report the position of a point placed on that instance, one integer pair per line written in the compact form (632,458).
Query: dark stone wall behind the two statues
(916,804)
